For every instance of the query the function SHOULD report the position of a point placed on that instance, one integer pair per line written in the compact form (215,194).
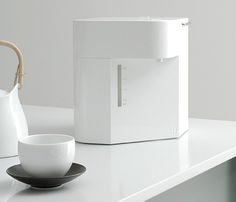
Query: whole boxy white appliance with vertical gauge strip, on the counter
(131,79)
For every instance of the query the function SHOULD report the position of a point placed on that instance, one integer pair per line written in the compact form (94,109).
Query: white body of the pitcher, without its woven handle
(13,124)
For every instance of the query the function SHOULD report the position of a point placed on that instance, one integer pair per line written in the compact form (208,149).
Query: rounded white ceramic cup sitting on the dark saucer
(46,155)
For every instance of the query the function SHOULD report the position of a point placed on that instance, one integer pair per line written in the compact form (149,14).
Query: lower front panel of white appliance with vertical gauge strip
(144,99)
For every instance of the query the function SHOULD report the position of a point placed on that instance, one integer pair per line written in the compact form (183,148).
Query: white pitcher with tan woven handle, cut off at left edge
(13,124)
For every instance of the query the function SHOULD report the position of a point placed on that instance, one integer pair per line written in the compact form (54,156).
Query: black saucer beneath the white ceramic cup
(18,173)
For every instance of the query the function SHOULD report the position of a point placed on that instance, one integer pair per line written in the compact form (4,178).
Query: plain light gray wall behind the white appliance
(43,30)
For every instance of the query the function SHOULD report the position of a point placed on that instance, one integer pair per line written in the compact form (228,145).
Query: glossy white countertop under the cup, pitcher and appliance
(126,172)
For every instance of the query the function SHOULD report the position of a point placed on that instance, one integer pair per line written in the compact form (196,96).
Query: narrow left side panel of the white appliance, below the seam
(92,101)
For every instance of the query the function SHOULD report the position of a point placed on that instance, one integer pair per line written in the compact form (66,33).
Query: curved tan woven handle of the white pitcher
(20,69)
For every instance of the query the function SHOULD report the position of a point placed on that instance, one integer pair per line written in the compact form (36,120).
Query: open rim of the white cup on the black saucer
(67,138)
